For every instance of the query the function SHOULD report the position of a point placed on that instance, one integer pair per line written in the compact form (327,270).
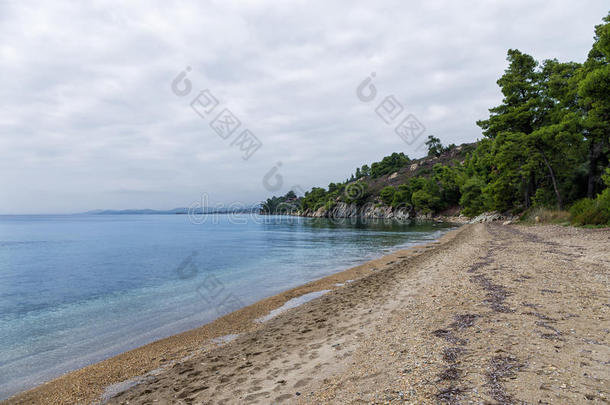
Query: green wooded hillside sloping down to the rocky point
(547,145)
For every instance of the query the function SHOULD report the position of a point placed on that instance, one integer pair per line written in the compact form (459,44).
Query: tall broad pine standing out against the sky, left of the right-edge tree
(527,122)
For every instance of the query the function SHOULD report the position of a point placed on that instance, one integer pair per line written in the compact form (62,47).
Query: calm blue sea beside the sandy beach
(75,289)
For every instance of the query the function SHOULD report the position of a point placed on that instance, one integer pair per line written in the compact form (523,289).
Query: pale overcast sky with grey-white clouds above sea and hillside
(115,105)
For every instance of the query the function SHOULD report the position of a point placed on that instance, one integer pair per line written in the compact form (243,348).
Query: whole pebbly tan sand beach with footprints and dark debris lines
(489,314)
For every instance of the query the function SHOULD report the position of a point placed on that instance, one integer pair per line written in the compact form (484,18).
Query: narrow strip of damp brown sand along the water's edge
(88,384)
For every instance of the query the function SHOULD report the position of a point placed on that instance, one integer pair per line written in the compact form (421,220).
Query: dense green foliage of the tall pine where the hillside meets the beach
(534,137)
